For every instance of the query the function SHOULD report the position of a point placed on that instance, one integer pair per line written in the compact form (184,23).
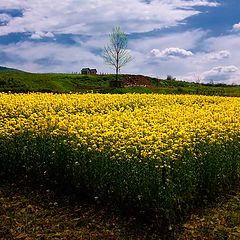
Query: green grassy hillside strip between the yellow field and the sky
(24,82)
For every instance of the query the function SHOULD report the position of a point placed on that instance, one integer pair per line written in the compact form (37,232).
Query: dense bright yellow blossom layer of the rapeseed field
(130,126)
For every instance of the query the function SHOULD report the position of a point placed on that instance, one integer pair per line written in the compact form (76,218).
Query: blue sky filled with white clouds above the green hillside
(193,40)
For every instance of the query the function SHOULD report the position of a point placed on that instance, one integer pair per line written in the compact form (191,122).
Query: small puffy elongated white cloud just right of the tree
(171,53)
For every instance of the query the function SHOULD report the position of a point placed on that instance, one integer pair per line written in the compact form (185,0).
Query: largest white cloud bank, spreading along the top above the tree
(94,16)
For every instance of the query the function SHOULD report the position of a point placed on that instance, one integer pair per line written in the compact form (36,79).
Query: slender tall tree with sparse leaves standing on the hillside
(116,53)
